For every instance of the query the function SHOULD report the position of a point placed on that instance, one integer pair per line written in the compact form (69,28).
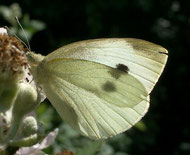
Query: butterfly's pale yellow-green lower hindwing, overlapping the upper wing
(97,100)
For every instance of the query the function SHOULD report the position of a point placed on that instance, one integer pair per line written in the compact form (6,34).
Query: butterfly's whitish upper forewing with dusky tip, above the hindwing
(144,60)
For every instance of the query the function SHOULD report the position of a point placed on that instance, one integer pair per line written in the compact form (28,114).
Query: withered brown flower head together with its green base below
(13,63)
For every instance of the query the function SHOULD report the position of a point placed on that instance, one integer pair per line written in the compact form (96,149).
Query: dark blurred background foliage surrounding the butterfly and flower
(165,129)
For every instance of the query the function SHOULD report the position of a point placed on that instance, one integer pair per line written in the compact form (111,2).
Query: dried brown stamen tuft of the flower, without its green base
(13,60)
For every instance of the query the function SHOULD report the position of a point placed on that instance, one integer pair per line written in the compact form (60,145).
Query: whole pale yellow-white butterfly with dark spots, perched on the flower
(100,87)
